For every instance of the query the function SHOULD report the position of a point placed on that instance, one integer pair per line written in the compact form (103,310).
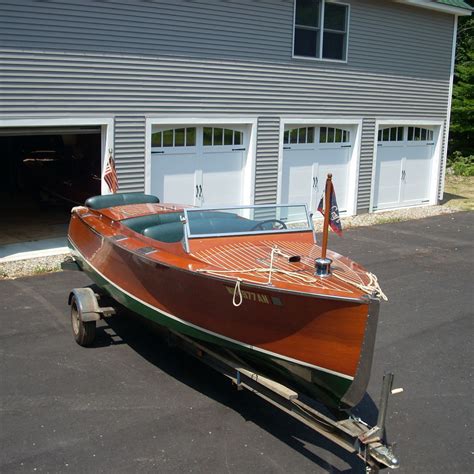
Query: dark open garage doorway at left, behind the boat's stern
(45,172)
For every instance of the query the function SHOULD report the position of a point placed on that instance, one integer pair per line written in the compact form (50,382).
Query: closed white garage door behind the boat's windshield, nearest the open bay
(200,166)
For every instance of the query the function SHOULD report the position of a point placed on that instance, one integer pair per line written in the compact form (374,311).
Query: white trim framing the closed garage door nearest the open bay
(248,196)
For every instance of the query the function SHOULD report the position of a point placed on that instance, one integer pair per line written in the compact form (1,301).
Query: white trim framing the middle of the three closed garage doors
(354,159)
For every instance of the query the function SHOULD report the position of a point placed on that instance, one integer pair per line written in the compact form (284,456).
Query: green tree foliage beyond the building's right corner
(462,110)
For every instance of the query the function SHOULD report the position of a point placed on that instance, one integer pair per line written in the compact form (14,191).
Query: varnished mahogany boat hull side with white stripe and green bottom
(321,346)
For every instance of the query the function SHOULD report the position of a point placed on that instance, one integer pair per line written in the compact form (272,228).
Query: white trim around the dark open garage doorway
(106,125)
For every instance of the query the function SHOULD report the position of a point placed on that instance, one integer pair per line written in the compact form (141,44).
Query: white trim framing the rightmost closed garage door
(437,154)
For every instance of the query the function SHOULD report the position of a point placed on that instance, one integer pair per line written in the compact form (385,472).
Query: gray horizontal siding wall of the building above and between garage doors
(134,59)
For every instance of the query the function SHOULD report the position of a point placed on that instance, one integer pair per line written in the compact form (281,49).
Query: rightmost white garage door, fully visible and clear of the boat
(403,173)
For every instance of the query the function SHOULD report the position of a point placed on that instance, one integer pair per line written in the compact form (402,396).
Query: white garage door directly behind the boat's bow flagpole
(309,154)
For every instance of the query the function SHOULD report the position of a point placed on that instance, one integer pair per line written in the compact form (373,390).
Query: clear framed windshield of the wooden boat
(247,220)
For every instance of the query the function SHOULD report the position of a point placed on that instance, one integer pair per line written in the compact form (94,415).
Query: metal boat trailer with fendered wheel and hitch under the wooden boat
(352,434)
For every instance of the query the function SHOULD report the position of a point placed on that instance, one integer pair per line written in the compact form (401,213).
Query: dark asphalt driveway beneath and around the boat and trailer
(131,404)
